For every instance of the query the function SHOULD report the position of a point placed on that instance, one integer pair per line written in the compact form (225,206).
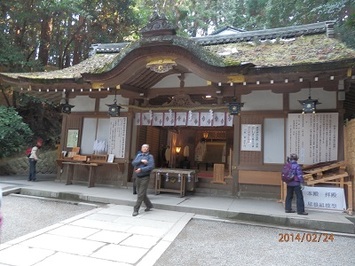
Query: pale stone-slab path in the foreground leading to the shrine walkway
(104,236)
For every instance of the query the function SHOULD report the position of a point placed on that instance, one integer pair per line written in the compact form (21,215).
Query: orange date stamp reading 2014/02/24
(305,237)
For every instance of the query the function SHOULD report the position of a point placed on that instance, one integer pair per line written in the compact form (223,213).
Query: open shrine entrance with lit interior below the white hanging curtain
(206,151)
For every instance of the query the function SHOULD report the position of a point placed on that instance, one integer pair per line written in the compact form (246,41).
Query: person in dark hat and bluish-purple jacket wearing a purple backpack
(295,186)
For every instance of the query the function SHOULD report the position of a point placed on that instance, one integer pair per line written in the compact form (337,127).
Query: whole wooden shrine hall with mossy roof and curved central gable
(229,106)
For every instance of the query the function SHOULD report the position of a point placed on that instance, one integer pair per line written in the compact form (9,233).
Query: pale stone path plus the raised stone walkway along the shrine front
(111,236)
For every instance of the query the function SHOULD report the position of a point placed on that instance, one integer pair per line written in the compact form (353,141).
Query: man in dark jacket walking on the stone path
(143,165)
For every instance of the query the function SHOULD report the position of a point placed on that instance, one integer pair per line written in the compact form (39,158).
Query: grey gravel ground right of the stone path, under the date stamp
(211,243)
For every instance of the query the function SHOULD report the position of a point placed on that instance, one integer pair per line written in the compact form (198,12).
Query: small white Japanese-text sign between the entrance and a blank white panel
(251,137)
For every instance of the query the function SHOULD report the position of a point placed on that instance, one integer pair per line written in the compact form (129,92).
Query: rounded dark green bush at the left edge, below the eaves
(14,133)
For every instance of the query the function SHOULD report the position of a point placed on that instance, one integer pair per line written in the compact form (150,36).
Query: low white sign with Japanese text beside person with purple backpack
(326,198)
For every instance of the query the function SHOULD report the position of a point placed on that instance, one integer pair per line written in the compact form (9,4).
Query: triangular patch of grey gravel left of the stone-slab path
(23,215)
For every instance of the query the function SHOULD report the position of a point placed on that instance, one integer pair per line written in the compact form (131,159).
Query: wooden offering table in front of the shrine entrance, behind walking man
(181,175)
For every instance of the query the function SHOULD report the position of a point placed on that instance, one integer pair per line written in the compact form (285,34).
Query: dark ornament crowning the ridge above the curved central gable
(158,25)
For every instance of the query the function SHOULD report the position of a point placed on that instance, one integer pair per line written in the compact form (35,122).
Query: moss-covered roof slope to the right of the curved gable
(284,52)
